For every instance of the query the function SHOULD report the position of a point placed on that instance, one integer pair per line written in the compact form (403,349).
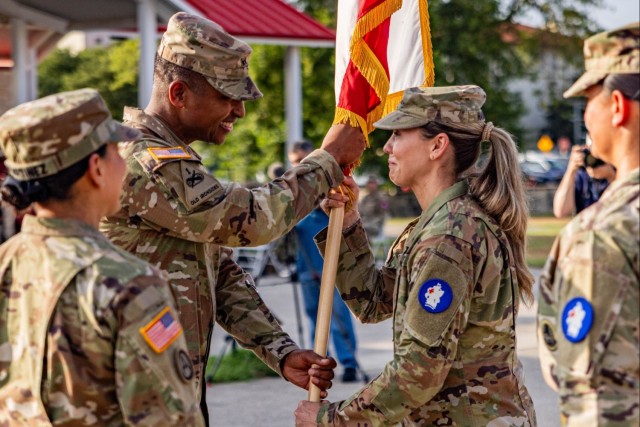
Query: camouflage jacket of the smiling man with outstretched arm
(176,215)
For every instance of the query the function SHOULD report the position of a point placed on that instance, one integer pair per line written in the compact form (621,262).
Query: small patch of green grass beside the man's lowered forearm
(237,365)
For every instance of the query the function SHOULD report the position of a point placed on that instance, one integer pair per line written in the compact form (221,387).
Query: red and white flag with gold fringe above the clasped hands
(382,48)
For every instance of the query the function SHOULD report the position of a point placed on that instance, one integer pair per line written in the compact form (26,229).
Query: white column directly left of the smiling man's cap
(147,27)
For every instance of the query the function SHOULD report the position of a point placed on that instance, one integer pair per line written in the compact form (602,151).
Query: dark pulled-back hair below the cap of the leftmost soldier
(55,187)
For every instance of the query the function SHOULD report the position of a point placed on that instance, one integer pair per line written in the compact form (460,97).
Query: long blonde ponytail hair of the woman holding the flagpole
(498,187)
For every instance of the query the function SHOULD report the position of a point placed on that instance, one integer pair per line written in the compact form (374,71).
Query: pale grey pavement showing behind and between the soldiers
(270,402)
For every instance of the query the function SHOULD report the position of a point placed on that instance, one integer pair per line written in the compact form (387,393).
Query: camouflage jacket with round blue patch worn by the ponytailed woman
(450,286)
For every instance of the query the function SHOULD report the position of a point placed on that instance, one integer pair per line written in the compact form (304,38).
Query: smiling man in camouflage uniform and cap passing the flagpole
(176,215)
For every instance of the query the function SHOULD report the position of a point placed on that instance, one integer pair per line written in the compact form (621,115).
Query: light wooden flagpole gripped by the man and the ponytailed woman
(327,285)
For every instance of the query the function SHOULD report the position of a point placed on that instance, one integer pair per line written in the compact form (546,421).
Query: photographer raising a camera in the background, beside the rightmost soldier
(587,177)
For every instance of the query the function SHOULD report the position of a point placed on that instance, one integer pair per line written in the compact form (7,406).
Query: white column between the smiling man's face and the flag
(293,96)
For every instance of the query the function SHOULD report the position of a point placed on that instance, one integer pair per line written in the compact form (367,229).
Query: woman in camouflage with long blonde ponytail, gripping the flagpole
(452,280)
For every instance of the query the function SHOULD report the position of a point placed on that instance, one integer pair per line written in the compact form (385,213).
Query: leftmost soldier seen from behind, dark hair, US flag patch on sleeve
(89,334)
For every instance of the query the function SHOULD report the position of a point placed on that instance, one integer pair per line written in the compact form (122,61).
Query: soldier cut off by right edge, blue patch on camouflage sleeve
(589,289)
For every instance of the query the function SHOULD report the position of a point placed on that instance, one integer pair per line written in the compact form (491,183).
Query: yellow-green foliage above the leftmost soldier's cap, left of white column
(112,71)
